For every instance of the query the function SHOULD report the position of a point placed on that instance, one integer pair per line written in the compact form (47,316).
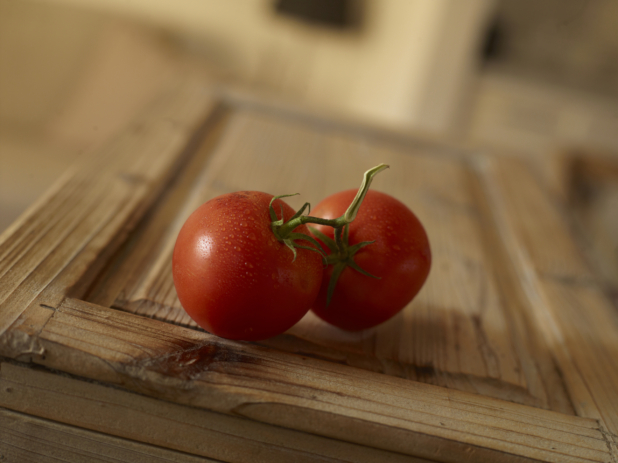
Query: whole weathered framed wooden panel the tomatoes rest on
(507,354)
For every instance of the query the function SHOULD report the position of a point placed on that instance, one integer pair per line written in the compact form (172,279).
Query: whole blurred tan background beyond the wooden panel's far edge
(526,76)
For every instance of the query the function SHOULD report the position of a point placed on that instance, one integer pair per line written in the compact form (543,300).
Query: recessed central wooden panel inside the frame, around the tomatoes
(460,332)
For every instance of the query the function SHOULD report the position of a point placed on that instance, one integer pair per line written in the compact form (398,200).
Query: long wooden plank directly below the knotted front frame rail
(166,425)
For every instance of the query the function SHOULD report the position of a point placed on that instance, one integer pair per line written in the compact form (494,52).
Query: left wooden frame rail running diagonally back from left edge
(50,251)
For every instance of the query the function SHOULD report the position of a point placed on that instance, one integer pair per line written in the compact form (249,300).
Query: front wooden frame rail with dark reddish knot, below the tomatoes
(308,395)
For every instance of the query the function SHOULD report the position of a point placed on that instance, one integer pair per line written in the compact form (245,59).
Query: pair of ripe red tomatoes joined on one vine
(238,278)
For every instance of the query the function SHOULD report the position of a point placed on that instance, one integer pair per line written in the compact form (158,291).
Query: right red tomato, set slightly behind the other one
(400,256)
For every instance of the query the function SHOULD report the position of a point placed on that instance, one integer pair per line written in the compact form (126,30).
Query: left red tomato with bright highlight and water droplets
(234,278)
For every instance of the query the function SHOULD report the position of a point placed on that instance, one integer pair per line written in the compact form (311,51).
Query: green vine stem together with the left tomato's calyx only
(284,231)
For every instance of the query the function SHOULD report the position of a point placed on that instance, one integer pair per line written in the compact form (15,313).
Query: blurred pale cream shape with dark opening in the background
(382,63)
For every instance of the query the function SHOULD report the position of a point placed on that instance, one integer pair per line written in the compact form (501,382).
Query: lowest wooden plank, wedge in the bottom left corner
(24,438)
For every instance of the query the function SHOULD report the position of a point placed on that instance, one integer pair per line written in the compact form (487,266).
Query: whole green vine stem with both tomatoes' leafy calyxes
(342,255)
